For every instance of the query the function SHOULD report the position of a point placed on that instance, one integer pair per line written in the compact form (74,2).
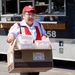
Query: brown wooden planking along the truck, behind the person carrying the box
(46,25)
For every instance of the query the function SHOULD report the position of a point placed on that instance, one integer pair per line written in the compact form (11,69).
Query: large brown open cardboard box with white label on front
(29,60)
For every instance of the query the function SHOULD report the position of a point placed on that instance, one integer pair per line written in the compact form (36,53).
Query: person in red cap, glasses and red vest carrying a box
(27,26)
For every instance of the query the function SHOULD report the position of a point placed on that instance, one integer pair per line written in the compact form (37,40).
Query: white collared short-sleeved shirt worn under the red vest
(15,29)
